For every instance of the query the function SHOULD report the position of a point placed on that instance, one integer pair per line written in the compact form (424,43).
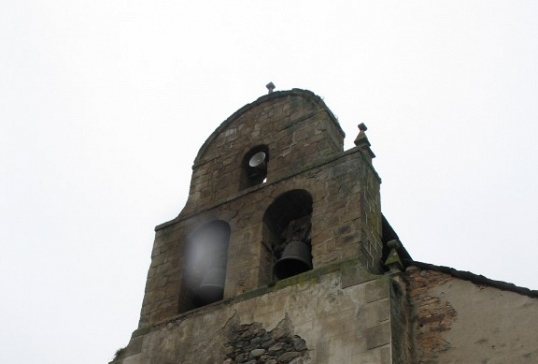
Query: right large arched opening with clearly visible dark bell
(287,236)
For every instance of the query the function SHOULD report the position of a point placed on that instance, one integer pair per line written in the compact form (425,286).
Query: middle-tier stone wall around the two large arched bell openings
(337,233)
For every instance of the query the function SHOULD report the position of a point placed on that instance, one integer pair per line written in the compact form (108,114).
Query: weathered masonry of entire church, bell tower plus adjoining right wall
(348,309)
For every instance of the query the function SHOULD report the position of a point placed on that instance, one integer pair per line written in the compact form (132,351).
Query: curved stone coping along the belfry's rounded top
(274,95)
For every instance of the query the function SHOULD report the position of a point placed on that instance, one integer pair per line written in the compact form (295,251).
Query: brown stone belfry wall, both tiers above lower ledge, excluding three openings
(305,145)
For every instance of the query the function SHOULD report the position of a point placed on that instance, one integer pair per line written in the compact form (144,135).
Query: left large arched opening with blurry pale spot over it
(205,260)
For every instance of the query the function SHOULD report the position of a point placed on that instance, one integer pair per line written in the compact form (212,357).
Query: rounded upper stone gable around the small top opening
(297,130)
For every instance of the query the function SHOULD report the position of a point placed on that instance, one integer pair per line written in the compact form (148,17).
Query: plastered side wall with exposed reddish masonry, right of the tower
(457,321)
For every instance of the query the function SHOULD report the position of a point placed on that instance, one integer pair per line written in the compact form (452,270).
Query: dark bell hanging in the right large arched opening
(296,259)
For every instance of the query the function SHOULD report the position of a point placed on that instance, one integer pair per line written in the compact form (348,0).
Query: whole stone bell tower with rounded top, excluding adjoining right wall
(280,254)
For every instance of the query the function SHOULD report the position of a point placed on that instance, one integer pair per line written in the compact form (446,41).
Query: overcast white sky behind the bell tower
(104,105)
